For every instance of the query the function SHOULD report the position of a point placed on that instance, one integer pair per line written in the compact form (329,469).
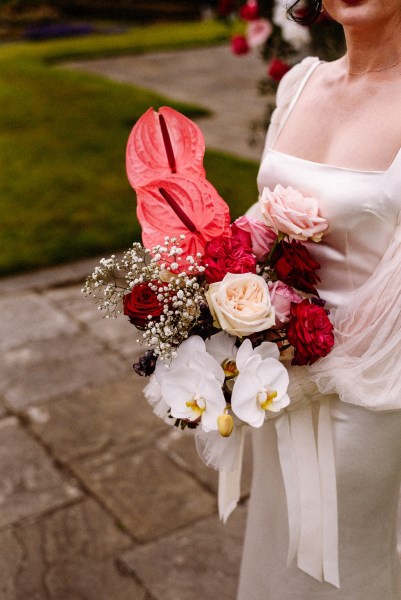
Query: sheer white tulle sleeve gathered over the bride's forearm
(365,362)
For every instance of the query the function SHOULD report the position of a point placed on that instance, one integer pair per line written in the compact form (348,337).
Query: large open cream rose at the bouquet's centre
(240,304)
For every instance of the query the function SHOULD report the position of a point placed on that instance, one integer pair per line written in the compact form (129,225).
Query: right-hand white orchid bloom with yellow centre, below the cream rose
(261,384)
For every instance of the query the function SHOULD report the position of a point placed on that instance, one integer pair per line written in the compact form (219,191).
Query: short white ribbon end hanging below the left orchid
(230,481)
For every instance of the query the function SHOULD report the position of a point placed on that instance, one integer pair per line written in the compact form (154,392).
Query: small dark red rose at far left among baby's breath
(140,303)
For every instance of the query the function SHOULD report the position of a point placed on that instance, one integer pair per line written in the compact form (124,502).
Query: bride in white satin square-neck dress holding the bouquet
(336,135)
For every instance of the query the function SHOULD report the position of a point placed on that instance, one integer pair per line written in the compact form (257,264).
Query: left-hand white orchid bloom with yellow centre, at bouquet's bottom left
(192,385)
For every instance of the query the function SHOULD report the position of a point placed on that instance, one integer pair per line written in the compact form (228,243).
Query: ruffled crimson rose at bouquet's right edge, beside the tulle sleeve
(310,332)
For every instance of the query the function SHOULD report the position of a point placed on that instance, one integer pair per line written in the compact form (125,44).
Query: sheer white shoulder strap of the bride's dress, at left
(288,92)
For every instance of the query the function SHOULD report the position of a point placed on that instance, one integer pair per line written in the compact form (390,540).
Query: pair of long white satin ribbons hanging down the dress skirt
(310,485)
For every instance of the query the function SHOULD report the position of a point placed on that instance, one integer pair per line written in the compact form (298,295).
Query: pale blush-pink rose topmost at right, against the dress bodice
(287,211)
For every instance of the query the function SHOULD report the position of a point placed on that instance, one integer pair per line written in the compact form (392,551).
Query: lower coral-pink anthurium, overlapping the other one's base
(182,206)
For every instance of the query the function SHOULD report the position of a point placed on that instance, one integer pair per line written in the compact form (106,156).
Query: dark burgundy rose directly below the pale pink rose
(295,266)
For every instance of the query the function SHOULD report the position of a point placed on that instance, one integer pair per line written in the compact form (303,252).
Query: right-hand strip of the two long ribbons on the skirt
(329,495)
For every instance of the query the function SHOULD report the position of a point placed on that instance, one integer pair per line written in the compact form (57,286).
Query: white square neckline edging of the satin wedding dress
(288,112)
